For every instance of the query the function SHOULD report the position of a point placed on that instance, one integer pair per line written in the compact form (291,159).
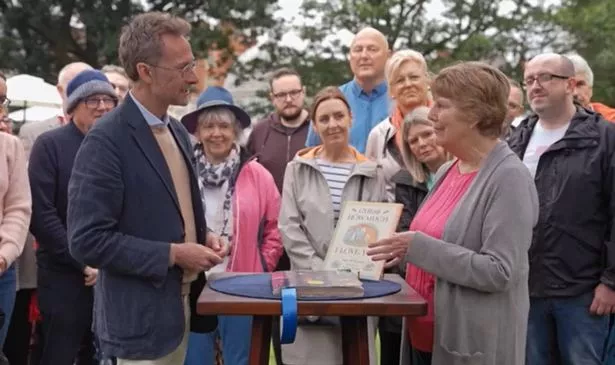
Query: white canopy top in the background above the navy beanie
(25,91)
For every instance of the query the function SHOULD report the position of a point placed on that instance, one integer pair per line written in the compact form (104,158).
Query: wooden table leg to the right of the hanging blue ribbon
(355,342)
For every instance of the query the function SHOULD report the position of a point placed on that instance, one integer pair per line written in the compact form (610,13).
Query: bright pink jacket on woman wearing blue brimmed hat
(257,245)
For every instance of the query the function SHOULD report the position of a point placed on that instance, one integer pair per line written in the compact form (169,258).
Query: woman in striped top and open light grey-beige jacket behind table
(316,183)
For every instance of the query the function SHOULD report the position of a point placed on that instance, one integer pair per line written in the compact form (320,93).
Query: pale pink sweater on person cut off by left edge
(15,198)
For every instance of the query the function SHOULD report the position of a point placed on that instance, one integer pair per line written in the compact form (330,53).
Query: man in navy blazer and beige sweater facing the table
(135,211)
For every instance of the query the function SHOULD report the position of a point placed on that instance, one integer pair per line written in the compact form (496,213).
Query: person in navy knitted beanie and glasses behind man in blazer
(65,286)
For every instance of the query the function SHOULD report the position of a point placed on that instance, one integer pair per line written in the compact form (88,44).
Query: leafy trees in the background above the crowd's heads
(40,36)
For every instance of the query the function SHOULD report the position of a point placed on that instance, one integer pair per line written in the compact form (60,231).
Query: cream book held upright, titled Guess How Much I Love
(359,224)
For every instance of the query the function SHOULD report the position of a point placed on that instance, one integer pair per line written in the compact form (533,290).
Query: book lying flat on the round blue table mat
(314,284)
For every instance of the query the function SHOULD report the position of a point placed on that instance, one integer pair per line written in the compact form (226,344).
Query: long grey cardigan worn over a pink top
(481,265)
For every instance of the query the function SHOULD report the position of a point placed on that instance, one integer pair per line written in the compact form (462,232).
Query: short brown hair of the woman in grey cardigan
(480,91)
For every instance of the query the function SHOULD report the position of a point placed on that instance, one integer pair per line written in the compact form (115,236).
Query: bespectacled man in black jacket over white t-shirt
(569,151)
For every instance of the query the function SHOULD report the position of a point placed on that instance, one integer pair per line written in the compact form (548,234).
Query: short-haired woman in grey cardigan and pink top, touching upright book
(474,229)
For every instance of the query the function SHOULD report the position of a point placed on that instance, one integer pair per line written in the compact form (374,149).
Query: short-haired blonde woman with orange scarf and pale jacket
(408,83)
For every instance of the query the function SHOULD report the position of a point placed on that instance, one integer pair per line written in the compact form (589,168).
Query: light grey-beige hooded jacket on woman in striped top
(306,224)
